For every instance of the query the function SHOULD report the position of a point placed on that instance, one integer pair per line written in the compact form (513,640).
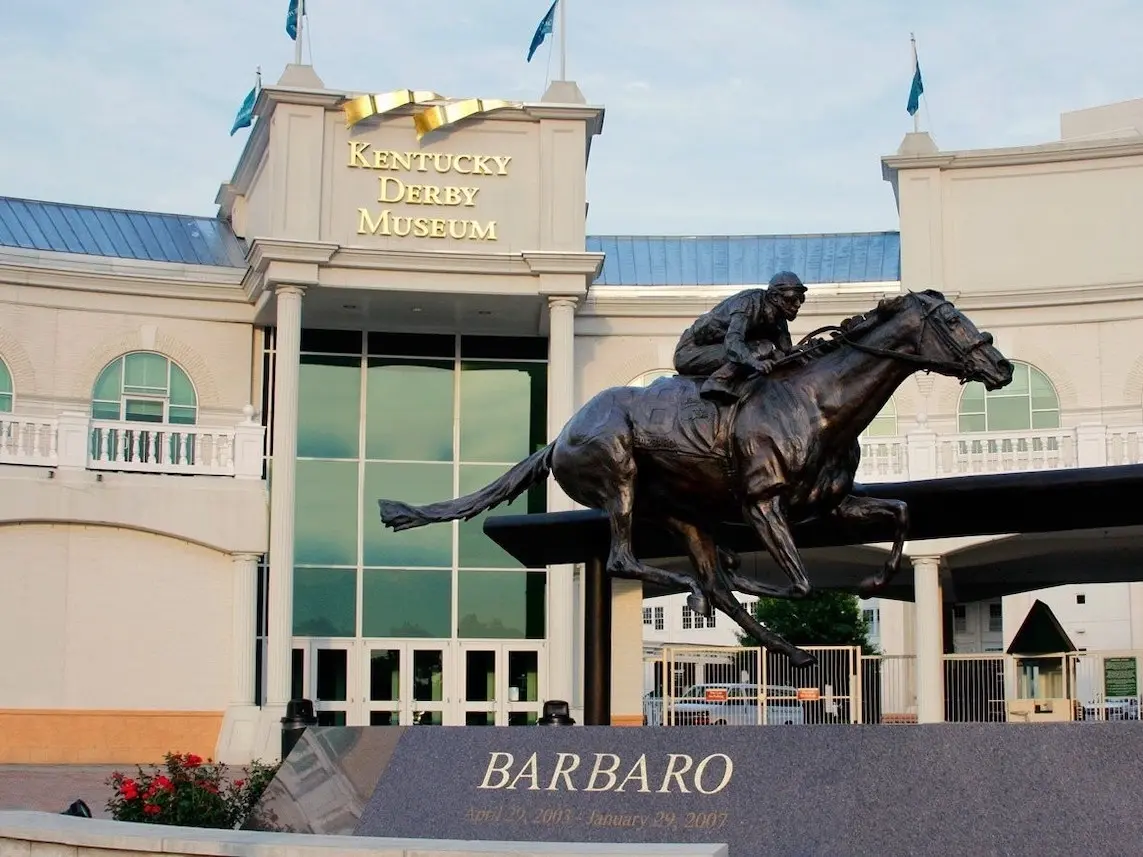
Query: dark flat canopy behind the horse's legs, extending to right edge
(1064,526)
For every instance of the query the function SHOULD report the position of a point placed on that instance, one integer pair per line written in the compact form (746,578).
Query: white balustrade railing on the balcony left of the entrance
(78,443)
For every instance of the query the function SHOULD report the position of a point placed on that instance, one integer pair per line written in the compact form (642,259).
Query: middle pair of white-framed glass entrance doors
(405,684)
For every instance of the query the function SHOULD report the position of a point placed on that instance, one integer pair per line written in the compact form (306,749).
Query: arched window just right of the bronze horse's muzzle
(1029,403)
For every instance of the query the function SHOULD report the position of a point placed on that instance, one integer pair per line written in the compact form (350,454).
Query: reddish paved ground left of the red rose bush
(52,788)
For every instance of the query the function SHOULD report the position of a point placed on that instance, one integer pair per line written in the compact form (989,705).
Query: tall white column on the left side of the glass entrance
(281,608)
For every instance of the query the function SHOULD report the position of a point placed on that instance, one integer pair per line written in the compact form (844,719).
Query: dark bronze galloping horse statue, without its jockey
(787,453)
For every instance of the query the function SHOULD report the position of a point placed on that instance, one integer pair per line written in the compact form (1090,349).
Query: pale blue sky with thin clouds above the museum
(723,116)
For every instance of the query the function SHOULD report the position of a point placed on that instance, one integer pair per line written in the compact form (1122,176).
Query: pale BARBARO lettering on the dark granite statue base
(677,773)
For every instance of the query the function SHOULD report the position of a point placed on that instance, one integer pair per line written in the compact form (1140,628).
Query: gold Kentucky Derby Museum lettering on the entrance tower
(412,190)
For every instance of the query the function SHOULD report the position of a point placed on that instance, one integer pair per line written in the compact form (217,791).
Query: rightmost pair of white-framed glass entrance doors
(501,684)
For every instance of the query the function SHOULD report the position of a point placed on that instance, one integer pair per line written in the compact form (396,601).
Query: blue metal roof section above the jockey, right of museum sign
(747,260)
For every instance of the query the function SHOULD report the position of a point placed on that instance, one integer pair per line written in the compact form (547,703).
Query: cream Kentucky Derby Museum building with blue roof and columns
(398,300)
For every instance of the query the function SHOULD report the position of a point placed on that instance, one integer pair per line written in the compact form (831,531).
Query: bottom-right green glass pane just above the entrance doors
(508,605)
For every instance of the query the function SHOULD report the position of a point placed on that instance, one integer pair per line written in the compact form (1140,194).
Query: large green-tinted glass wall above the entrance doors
(418,419)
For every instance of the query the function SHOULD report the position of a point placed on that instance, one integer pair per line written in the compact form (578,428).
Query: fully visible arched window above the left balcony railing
(145,388)
